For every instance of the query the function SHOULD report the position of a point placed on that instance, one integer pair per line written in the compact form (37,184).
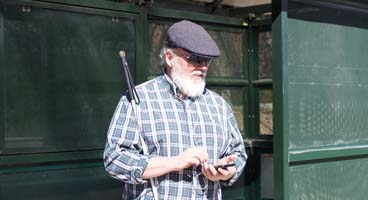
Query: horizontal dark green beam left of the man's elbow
(34,159)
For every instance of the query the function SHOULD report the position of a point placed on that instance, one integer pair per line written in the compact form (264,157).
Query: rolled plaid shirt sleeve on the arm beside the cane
(123,157)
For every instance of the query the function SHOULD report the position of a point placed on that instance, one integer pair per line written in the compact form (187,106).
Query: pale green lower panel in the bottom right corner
(339,180)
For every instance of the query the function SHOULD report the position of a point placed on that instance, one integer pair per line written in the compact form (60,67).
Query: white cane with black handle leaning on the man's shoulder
(134,100)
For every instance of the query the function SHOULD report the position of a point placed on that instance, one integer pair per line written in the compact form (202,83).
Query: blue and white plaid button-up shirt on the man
(170,126)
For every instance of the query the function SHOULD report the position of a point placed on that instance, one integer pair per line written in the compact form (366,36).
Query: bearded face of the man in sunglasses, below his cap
(189,72)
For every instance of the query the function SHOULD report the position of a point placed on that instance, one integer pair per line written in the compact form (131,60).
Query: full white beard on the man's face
(187,85)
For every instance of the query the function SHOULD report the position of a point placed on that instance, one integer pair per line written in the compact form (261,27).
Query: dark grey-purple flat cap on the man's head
(192,38)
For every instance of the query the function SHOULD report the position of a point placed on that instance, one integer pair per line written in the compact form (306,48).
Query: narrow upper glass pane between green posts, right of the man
(265,54)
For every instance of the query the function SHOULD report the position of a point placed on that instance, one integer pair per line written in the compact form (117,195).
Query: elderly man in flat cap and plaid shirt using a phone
(187,128)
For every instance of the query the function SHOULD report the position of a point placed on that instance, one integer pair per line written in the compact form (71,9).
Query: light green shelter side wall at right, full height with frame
(320,81)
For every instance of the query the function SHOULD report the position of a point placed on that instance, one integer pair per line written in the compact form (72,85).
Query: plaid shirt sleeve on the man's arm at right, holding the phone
(235,146)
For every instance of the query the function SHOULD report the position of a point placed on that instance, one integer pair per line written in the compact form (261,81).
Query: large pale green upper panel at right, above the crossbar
(327,84)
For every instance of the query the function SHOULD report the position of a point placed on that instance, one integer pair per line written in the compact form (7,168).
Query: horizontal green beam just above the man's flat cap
(177,14)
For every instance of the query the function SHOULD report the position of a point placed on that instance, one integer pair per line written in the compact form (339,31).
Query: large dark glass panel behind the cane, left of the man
(63,77)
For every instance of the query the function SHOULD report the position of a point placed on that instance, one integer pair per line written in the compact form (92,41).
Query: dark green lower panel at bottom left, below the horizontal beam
(71,184)
